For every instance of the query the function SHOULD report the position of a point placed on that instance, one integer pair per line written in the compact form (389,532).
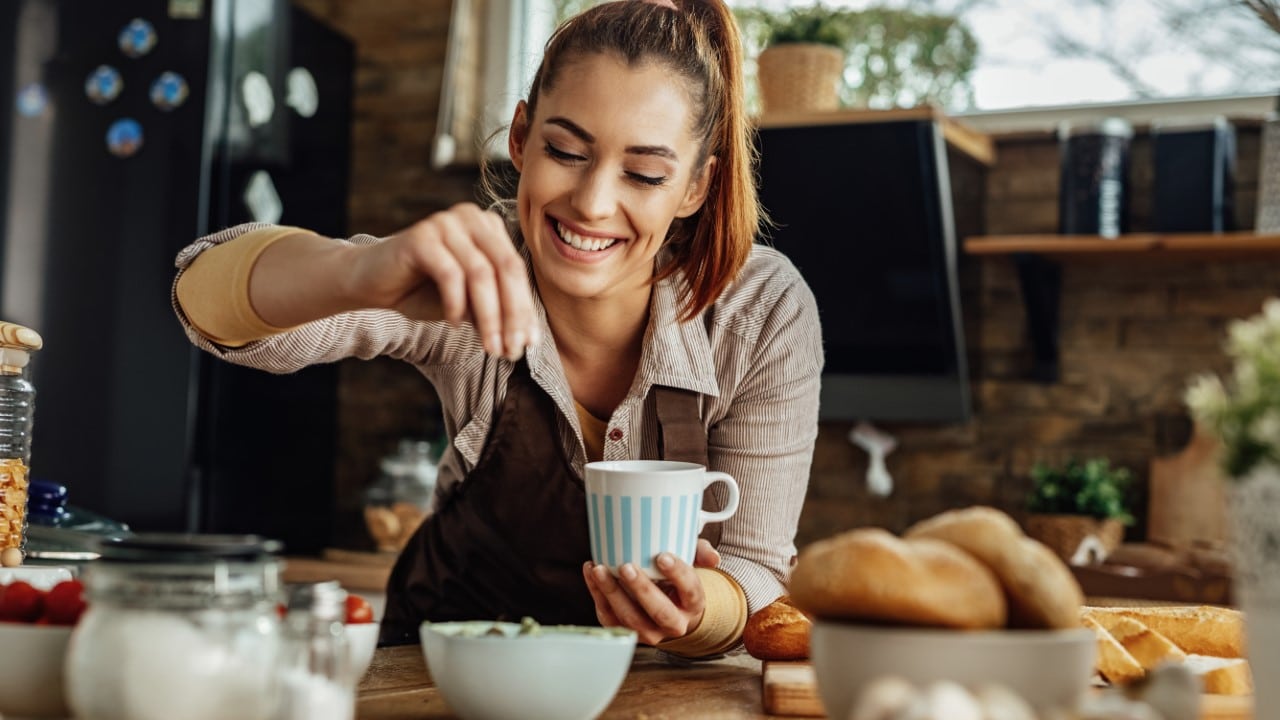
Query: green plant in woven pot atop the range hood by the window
(802,61)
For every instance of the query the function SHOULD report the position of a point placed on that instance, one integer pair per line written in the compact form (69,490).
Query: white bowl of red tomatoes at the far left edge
(31,671)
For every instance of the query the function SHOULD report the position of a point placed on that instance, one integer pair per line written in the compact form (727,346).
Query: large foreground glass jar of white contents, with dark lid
(179,627)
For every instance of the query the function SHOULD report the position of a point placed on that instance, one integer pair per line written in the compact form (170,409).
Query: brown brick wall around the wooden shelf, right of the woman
(1133,330)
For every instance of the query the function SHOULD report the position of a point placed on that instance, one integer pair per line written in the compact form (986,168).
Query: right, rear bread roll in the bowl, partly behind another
(1041,589)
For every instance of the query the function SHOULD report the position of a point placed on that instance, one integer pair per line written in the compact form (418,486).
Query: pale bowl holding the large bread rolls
(1046,668)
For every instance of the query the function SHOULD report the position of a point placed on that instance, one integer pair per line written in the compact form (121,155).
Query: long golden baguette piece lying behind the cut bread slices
(1204,630)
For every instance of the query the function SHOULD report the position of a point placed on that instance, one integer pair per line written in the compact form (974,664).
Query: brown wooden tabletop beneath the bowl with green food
(399,687)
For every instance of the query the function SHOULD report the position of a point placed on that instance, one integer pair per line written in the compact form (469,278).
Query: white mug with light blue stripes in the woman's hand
(637,509)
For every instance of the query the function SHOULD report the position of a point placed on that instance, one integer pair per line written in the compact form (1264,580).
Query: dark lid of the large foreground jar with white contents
(184,548)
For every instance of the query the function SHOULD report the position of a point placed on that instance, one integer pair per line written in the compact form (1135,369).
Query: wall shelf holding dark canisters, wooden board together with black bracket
(1040,258)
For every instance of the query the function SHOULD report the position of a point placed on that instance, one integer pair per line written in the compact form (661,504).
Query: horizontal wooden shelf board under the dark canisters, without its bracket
(1226,245)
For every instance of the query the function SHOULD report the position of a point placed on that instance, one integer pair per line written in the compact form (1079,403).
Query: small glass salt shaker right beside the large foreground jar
(316,673)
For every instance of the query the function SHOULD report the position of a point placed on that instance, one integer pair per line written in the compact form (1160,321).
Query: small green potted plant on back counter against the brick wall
(1076,502)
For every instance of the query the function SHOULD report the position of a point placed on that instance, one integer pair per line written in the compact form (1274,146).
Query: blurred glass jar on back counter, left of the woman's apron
(404,495)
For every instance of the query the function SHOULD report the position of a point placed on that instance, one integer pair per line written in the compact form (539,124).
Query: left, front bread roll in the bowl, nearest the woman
(871,575)
